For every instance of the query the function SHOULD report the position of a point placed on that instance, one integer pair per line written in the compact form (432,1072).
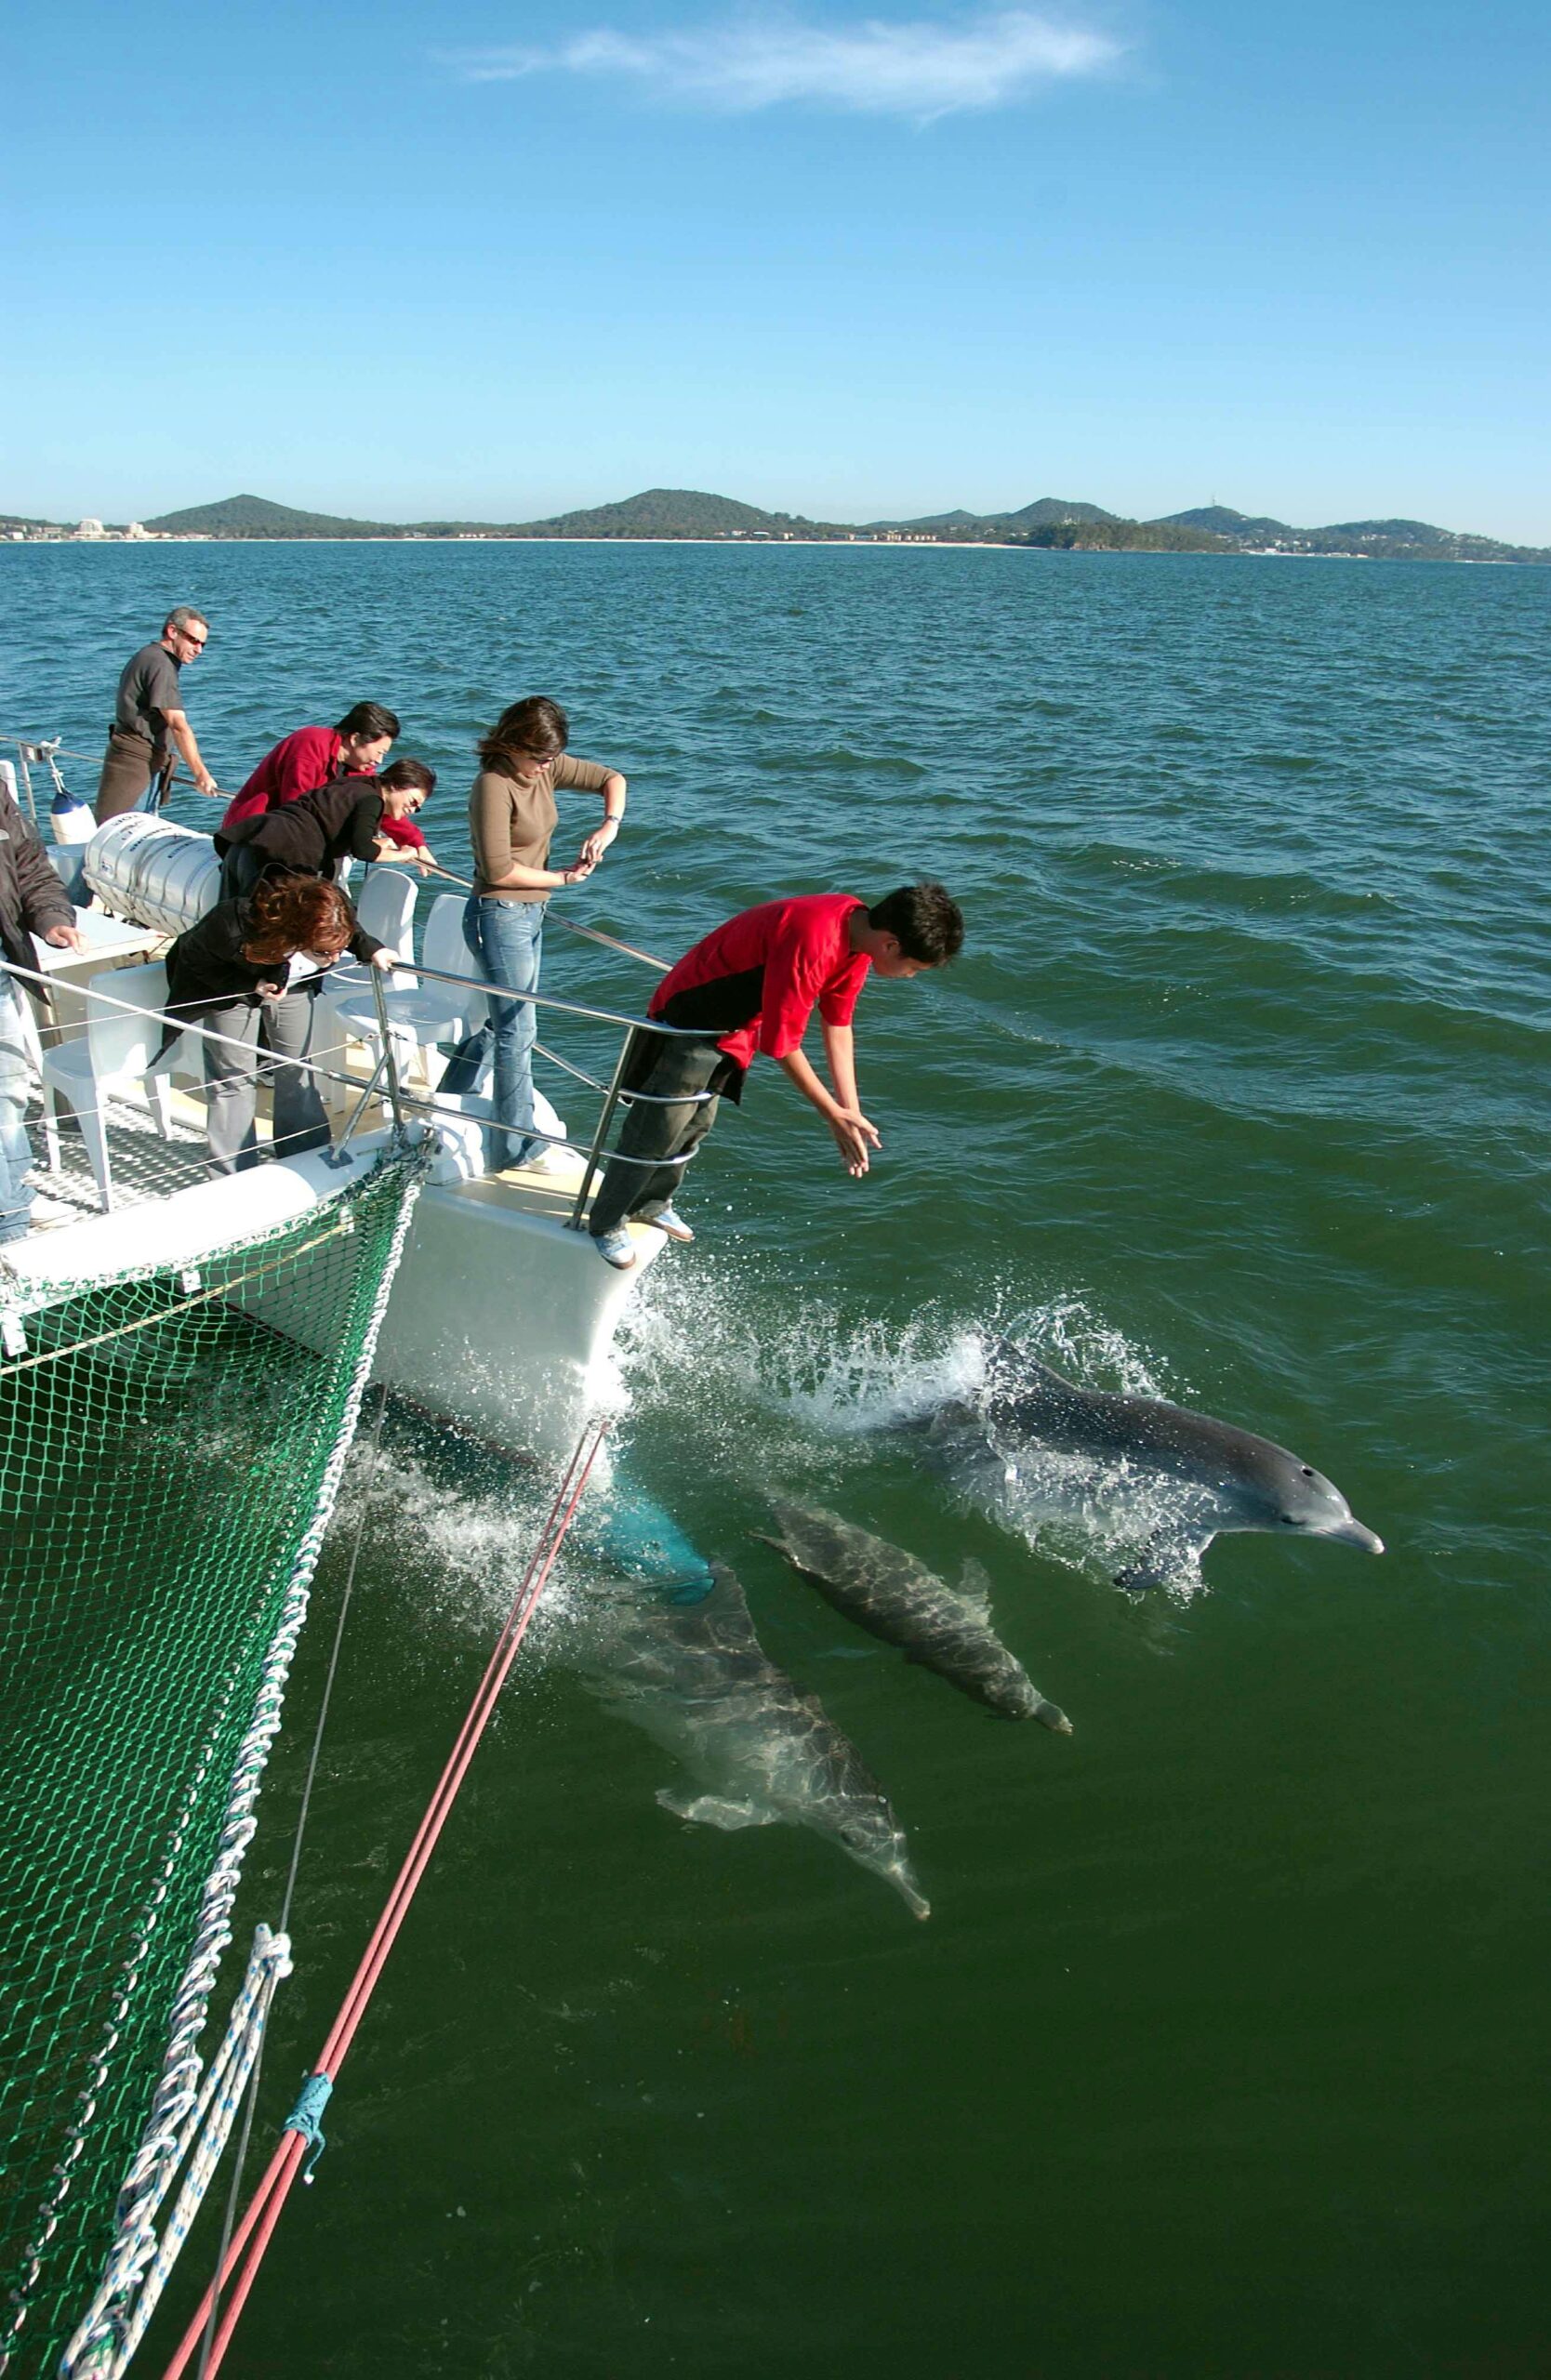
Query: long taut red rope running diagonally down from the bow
(270,2198)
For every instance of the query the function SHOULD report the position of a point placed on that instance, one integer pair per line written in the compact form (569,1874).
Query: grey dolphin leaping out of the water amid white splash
(1217,1477)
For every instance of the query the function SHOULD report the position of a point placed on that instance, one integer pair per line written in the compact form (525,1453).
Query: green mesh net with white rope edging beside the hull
(170,1451)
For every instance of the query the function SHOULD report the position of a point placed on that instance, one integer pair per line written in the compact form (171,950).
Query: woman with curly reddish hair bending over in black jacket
(251,972)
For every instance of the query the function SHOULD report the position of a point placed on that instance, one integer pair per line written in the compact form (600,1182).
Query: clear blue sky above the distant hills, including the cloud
(494,261)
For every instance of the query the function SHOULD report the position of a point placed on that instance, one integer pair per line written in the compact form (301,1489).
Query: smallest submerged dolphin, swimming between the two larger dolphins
(896,1598)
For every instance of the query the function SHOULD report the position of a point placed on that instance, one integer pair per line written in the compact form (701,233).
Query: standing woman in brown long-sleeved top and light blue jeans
(513,818)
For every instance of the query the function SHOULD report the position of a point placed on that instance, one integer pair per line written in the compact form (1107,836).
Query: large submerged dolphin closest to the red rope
(698,1681)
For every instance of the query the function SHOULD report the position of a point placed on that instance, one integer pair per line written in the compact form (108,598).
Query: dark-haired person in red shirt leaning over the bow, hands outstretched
(753,987)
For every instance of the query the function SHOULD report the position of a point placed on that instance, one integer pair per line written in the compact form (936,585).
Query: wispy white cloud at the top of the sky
(872,68)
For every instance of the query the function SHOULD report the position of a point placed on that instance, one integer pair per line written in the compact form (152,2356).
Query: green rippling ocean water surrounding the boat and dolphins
(1224,2048)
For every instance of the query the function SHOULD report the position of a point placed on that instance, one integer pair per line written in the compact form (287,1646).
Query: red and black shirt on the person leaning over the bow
(758,979)
